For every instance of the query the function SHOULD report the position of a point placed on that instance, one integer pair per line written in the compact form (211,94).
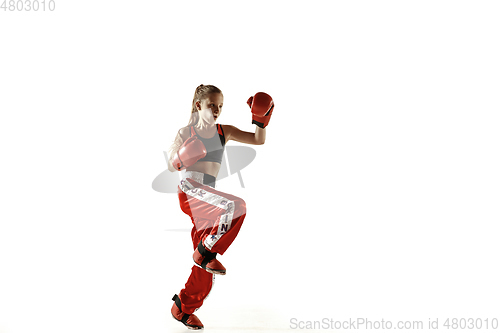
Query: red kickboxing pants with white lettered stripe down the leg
(217,219)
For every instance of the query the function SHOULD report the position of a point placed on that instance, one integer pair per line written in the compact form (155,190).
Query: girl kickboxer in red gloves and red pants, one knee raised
(217,216)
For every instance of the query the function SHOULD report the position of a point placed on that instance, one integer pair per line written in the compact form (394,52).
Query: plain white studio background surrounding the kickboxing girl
(376,194)
